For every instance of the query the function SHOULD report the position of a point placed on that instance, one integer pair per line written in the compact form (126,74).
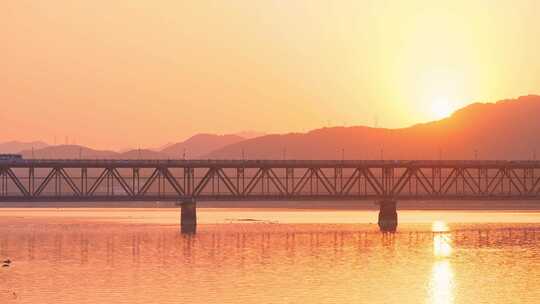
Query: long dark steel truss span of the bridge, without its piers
(29,180)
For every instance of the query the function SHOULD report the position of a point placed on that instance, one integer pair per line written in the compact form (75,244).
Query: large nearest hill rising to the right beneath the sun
(508,129)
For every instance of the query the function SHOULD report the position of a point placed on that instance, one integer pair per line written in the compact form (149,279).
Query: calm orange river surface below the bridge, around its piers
(268,256)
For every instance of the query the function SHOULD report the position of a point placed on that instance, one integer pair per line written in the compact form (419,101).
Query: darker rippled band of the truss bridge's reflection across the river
(108,246)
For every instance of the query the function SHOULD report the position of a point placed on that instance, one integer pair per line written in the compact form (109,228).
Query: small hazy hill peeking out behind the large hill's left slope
(199,145)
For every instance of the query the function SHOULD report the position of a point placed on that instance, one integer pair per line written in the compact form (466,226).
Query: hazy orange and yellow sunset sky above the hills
(126,73)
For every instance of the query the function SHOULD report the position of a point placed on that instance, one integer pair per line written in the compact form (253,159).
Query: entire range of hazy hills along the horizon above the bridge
(508,129)
